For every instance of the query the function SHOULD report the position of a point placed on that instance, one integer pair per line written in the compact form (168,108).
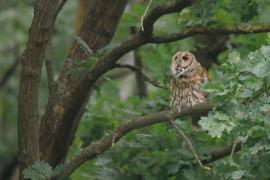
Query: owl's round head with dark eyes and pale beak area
(183,62)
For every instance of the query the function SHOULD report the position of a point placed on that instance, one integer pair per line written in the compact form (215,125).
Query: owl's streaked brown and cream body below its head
(186,91)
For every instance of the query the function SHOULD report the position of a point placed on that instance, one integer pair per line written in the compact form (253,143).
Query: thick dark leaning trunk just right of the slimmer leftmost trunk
(67,104)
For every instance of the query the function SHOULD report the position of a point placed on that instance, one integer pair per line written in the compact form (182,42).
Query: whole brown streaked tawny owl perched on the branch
(188,75)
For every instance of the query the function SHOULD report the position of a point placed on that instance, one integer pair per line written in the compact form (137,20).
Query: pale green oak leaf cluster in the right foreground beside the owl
(240,94)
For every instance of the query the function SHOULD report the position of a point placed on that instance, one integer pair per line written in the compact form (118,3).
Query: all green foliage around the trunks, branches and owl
(238,90)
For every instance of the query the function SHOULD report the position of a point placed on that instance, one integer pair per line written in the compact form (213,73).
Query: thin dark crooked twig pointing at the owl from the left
(145,77)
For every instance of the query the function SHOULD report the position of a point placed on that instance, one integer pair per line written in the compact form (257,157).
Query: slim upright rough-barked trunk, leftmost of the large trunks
(32,59)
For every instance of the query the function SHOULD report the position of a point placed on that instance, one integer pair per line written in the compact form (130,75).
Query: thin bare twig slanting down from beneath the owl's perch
(182,134)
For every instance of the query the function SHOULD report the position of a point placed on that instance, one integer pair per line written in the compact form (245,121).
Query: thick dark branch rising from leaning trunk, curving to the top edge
(138,39)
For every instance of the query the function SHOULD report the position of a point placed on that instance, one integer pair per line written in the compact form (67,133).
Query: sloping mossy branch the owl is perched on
(106,142)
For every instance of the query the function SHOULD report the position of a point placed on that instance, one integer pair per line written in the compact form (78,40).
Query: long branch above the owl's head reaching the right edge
(200,30)
